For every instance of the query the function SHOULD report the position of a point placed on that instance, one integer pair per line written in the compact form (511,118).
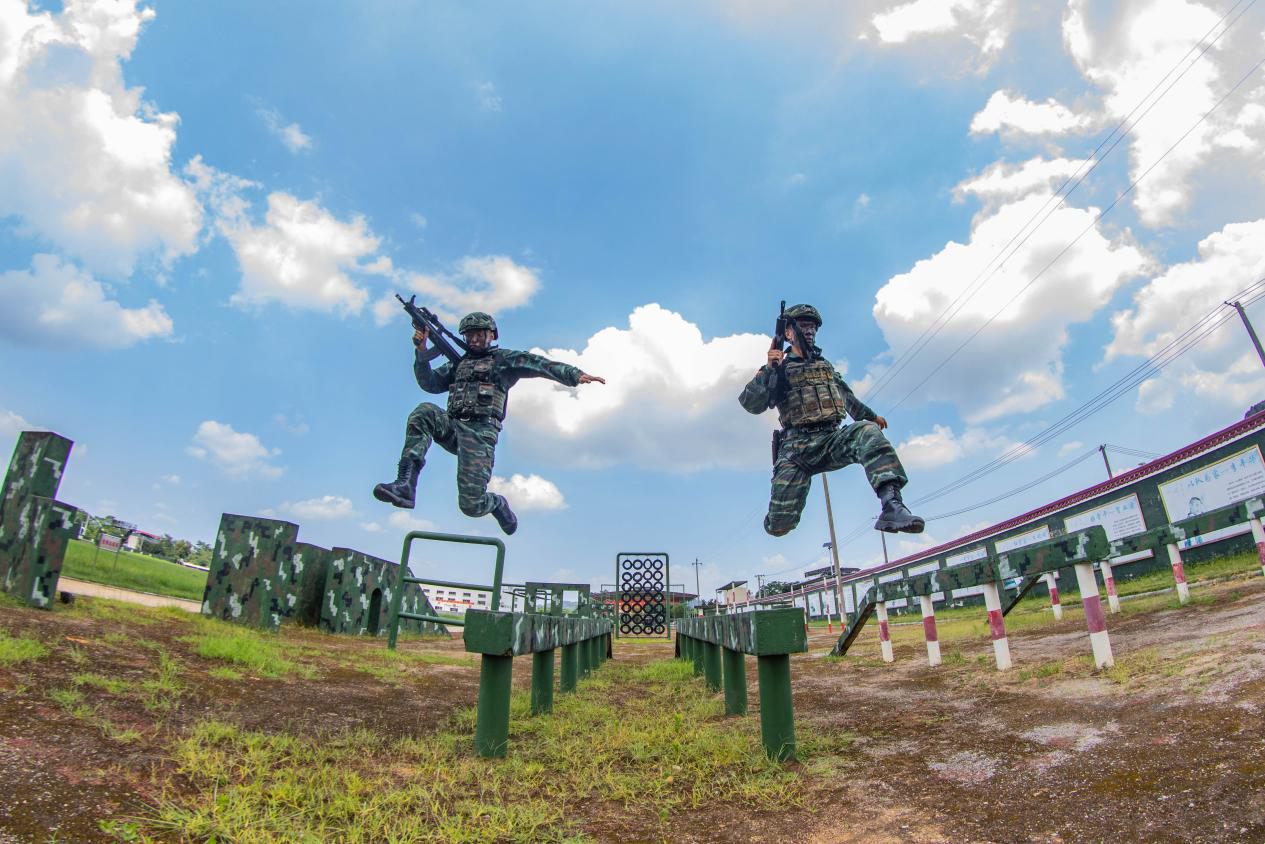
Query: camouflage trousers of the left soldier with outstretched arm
(472,442)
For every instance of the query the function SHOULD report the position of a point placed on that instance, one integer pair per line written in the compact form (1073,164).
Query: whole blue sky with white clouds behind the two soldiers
(204,212)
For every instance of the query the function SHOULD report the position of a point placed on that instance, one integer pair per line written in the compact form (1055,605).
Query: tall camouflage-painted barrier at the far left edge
(35,528)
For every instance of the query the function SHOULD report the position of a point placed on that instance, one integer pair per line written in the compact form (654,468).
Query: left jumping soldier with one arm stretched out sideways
(478,389)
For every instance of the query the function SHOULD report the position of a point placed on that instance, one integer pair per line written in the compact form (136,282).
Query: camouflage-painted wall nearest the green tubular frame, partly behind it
(357,597)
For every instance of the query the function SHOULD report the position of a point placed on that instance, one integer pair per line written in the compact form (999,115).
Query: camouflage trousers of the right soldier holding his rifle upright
(806,455)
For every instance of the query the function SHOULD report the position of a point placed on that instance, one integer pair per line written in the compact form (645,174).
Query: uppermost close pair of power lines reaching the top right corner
(933,331)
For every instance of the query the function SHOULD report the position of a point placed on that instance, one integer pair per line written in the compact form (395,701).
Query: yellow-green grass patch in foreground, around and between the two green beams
(645,743)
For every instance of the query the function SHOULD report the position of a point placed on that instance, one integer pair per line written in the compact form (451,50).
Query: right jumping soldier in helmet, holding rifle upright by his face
(813,400)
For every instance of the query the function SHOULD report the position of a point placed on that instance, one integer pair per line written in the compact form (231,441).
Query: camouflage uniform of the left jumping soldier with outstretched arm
(471,437)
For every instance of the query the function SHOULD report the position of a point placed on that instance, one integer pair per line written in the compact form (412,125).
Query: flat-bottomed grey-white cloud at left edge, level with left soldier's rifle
(56,303)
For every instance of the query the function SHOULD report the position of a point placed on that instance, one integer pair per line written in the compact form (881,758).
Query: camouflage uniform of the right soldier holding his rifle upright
(811,450)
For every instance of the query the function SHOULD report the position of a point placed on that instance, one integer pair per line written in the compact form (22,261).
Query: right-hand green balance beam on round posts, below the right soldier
(717,646)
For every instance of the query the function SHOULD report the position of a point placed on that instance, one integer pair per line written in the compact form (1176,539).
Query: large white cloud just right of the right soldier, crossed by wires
(1016,365)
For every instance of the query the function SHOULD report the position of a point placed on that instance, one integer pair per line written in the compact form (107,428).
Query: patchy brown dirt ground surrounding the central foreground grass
(1167,747)
